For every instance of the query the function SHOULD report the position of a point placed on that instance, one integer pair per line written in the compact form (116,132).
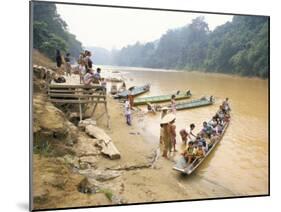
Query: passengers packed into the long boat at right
(211,131)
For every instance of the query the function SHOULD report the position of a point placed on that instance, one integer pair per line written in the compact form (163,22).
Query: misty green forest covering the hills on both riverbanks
(236,47)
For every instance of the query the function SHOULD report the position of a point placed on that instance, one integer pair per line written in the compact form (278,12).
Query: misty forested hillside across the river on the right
(236,47)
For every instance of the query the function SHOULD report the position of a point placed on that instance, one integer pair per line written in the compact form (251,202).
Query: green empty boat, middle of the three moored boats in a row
(162,98)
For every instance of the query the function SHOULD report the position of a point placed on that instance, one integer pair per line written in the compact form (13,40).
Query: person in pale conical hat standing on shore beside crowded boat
(167,137)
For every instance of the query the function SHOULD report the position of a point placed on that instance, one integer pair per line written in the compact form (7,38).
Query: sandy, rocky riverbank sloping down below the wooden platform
(57,166)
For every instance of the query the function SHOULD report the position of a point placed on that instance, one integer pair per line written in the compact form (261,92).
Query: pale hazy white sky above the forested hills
(118,27)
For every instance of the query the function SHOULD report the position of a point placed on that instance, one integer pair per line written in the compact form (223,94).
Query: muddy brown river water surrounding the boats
(239,164)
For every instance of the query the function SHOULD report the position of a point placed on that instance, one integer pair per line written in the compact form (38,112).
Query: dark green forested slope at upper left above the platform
(50,32)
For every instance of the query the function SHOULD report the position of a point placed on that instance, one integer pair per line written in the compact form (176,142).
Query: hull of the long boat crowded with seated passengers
(185,168)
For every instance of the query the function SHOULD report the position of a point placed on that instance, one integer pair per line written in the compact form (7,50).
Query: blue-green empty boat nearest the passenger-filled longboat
(204,101)
